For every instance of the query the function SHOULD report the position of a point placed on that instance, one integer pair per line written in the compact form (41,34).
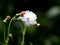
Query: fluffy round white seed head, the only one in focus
(29,18)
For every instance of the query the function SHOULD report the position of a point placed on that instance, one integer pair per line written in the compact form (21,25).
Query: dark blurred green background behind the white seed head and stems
(48,13)
